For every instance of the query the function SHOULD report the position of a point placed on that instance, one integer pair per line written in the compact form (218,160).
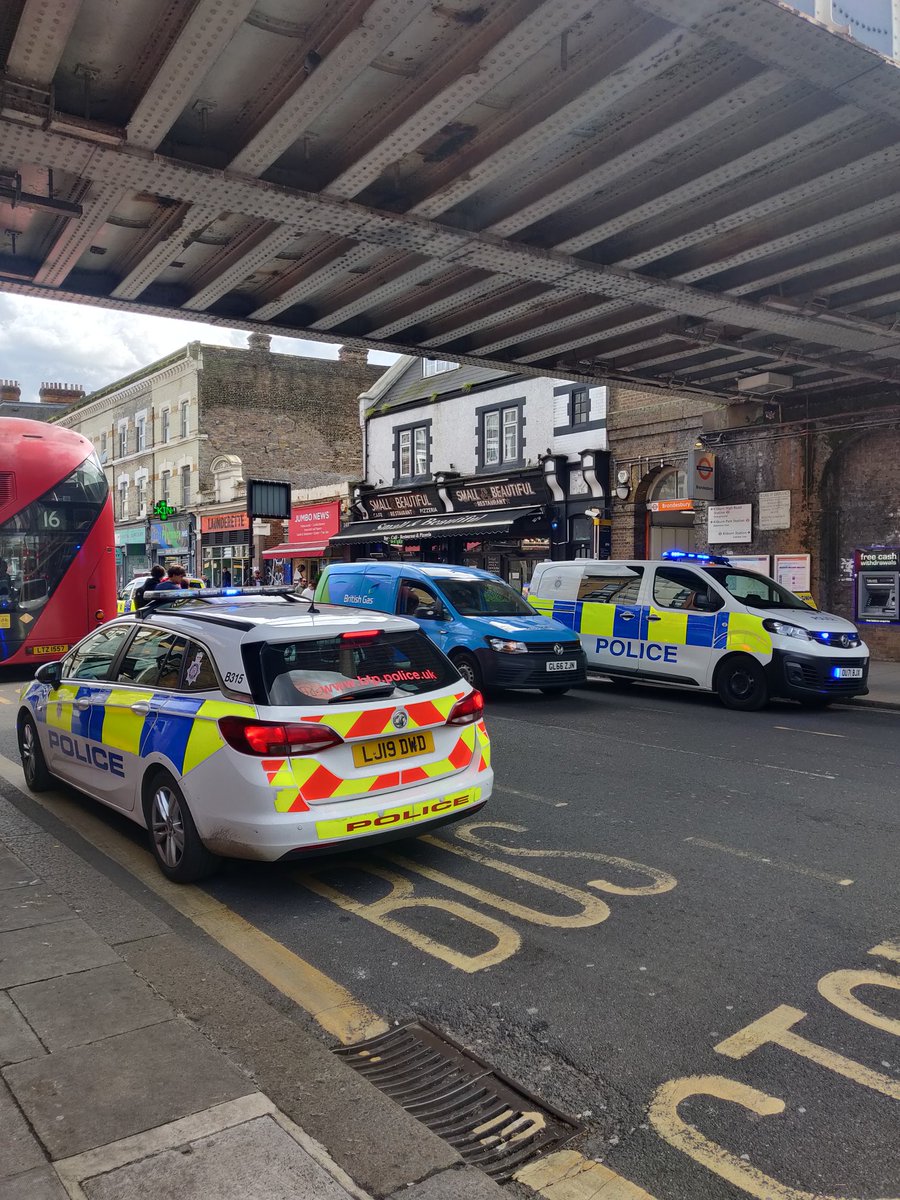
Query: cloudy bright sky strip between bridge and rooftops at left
(53,341)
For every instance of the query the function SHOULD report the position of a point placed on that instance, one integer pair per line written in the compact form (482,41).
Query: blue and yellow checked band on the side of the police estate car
(183,729)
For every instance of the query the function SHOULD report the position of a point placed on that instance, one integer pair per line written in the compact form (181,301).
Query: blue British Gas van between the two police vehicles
(488,631)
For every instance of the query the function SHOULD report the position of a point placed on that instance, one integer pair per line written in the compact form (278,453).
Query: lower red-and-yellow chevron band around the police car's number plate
(304,782)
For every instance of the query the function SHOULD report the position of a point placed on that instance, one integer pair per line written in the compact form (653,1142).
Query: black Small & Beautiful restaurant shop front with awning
(501,524)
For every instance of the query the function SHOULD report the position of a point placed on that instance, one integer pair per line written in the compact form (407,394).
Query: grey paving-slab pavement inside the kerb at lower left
(109,1094)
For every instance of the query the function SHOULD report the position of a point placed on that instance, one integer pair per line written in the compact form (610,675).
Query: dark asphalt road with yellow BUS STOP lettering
(653,877)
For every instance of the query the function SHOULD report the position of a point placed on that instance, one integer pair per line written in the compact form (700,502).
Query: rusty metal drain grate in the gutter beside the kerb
(493,1123)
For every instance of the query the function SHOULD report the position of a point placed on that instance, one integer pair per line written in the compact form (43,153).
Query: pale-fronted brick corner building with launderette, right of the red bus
(189,430)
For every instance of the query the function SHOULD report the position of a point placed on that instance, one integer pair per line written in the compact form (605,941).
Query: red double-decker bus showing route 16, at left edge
(57,542)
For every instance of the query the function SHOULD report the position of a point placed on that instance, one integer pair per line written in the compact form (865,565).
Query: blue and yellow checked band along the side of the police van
(718,632)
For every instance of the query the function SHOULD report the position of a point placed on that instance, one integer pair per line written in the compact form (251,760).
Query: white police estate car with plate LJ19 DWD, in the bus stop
(247,723)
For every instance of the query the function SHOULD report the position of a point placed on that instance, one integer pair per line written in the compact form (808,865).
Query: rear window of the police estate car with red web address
(369,665)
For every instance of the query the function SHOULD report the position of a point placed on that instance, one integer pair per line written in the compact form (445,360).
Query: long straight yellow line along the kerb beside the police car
(337,1011)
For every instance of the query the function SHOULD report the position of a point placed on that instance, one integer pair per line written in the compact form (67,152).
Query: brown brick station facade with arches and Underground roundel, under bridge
(841,469)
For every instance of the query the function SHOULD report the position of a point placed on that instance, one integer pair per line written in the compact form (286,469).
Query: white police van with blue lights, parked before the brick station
(695,621)
